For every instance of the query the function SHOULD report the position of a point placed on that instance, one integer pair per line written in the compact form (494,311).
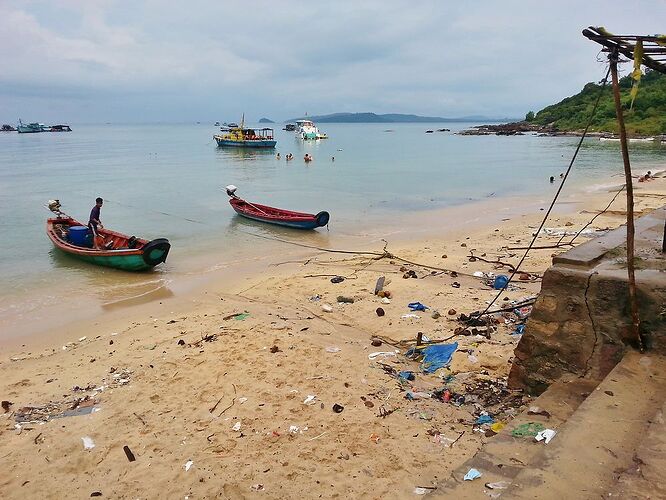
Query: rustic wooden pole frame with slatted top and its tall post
(653,56)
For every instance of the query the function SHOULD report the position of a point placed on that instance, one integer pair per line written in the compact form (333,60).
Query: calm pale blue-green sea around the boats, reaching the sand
(168,180)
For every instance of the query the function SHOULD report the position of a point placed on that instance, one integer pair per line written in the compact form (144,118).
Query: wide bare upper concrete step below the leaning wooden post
(599,441)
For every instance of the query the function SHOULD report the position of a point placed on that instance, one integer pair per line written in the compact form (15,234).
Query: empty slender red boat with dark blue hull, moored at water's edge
(271,215)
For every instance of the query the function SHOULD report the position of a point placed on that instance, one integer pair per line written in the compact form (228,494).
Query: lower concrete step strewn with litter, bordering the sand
(505,456)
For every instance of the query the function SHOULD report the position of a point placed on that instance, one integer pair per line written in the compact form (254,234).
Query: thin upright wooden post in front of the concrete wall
(613,58)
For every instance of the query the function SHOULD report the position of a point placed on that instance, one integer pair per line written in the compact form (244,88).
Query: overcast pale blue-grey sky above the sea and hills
(96,61)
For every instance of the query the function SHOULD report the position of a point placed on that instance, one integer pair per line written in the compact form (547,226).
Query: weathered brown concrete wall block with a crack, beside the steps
(581,322)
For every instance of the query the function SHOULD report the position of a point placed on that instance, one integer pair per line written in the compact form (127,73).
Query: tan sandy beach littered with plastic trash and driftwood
(264,381)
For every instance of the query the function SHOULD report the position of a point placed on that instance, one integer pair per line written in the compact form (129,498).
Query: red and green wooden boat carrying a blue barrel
(119,251)
